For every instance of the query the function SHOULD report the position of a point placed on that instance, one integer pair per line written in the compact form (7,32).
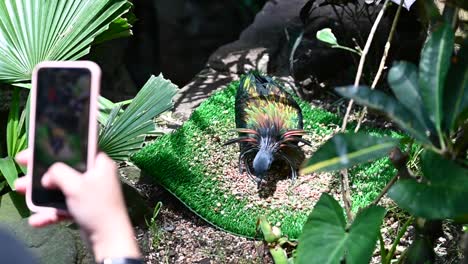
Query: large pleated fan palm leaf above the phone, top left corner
(32,31)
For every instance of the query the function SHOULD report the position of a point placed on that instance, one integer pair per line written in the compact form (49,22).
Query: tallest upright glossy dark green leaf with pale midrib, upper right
(433,69)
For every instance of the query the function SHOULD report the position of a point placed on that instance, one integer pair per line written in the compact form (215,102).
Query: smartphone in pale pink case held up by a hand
(62,124)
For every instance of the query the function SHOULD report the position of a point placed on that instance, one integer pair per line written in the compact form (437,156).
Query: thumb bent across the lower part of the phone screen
(62,177)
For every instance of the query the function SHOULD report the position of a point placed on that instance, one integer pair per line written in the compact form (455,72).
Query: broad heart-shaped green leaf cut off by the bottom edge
(326,239)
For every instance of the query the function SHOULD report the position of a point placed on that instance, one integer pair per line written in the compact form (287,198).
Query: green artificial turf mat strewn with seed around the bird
(193,165)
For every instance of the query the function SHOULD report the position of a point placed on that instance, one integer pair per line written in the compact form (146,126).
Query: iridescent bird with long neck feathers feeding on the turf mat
(270,126)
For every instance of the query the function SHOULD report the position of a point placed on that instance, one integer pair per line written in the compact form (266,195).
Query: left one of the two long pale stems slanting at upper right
(363,59)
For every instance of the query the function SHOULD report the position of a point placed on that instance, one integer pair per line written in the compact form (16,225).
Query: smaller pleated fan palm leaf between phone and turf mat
(124,133)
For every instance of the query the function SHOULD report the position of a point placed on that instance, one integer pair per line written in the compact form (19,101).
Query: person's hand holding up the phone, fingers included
(94,200)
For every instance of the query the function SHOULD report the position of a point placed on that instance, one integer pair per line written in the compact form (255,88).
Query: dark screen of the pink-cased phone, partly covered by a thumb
(61,132)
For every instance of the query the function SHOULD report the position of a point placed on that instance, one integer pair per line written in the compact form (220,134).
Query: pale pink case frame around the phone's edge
(92,127)
